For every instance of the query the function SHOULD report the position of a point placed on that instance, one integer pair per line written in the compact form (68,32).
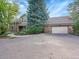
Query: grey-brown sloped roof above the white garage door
(65,20)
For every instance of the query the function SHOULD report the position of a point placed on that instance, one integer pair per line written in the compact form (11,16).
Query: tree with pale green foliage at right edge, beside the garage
(74,11)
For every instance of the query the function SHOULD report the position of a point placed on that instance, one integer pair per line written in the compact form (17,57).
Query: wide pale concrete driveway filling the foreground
(40,46)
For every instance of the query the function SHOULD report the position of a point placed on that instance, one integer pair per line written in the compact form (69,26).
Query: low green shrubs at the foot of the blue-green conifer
(31,30)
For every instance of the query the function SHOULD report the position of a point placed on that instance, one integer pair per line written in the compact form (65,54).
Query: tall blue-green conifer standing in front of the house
(37,15)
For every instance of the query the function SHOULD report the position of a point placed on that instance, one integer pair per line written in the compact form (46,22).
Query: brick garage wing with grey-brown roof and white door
(59,25)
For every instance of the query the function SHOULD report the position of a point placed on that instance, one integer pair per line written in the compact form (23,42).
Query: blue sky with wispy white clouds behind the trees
(56,8)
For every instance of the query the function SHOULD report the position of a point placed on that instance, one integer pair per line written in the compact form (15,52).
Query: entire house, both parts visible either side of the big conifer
(53,25)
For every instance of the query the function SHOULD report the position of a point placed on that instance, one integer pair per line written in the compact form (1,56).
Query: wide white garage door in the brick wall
(61,30)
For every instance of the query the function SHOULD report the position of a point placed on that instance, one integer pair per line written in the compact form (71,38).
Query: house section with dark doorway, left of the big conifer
(19,24)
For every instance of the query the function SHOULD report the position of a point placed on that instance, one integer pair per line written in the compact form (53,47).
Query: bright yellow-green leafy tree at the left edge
(8,11)
